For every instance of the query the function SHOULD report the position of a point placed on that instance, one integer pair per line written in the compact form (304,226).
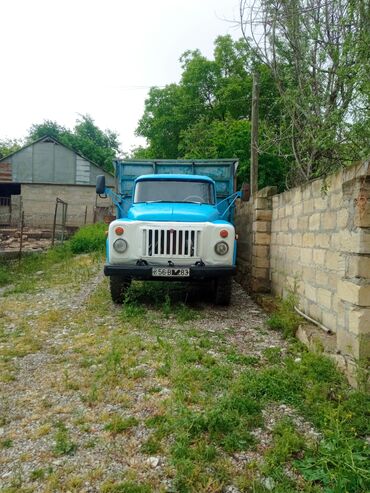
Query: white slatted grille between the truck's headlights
(164,242)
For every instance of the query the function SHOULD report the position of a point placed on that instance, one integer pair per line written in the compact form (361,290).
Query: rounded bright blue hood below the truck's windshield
(165,211)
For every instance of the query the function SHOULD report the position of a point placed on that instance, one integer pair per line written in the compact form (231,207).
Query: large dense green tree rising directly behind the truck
(206,115)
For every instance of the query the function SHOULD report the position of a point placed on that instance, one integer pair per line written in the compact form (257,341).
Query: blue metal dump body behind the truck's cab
(222,171)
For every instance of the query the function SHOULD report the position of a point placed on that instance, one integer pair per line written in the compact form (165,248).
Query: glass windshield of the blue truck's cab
(199,192)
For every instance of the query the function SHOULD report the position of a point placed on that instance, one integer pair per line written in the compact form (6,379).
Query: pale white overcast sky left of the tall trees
(61,58)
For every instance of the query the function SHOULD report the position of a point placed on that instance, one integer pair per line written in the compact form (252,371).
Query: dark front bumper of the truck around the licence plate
(197,272)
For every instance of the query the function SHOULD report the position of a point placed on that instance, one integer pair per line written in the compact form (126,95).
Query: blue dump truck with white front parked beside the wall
(173,222)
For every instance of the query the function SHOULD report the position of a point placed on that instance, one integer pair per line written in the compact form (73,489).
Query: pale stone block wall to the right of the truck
(318,247)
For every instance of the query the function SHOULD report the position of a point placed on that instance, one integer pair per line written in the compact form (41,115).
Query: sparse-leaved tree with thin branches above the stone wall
(317,53)
